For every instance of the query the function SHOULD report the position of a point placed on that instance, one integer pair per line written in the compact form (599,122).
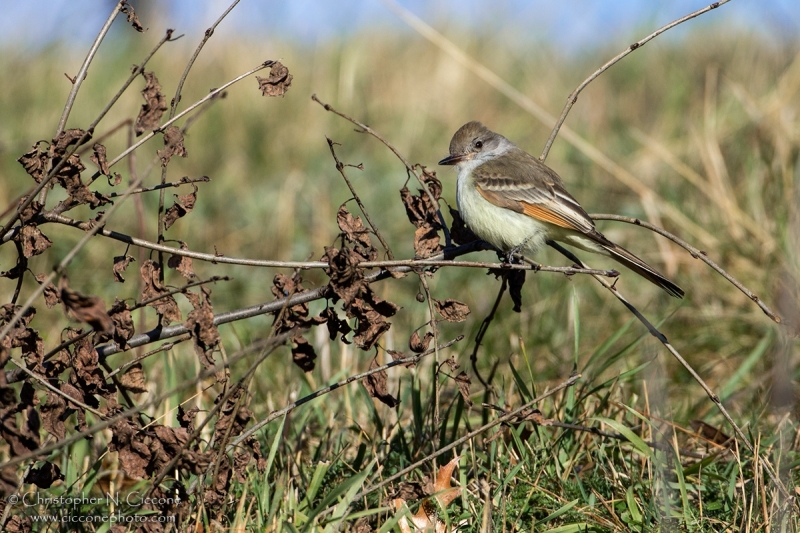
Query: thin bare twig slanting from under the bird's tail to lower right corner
(663,339)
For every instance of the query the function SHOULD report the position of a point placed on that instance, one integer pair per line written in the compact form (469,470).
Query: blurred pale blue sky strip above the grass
(571,25)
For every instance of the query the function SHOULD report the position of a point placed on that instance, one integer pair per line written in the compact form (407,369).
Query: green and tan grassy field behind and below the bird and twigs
(719,105)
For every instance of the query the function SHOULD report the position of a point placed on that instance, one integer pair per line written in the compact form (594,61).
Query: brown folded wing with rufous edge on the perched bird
(524,184)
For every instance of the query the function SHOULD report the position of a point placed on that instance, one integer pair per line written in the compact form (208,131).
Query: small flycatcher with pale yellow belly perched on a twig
(510,199)
